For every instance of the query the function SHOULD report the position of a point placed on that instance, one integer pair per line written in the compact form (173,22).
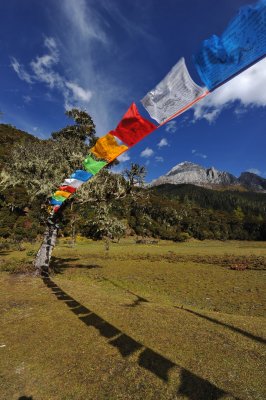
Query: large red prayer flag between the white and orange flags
(133,127)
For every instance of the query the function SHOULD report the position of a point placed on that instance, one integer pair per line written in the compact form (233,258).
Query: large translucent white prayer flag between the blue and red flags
(173,95)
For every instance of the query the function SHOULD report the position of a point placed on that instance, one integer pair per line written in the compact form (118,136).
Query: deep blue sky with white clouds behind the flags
(101,55)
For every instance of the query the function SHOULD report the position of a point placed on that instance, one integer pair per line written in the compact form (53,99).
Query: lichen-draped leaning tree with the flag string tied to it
(41,165)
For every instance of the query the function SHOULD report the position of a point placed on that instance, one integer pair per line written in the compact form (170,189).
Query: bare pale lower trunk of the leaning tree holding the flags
(44,254)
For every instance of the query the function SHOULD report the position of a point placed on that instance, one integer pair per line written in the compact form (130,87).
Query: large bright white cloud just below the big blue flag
(247,89)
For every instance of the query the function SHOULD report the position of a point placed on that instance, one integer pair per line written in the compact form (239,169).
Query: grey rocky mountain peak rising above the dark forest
(190,173)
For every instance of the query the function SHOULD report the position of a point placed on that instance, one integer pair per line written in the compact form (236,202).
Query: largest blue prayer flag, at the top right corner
(241,44)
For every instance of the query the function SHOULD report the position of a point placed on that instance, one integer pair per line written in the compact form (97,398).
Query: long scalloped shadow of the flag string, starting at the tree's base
(194,387)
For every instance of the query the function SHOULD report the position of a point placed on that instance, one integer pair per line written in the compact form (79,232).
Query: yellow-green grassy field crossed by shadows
(161,321)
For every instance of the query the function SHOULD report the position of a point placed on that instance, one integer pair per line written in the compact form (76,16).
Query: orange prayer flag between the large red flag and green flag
(107,148)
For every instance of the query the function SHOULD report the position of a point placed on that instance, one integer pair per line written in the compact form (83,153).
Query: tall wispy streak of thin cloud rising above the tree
(85,48)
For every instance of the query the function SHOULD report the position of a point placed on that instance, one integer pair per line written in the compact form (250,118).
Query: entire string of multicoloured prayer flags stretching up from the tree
(219,59)
